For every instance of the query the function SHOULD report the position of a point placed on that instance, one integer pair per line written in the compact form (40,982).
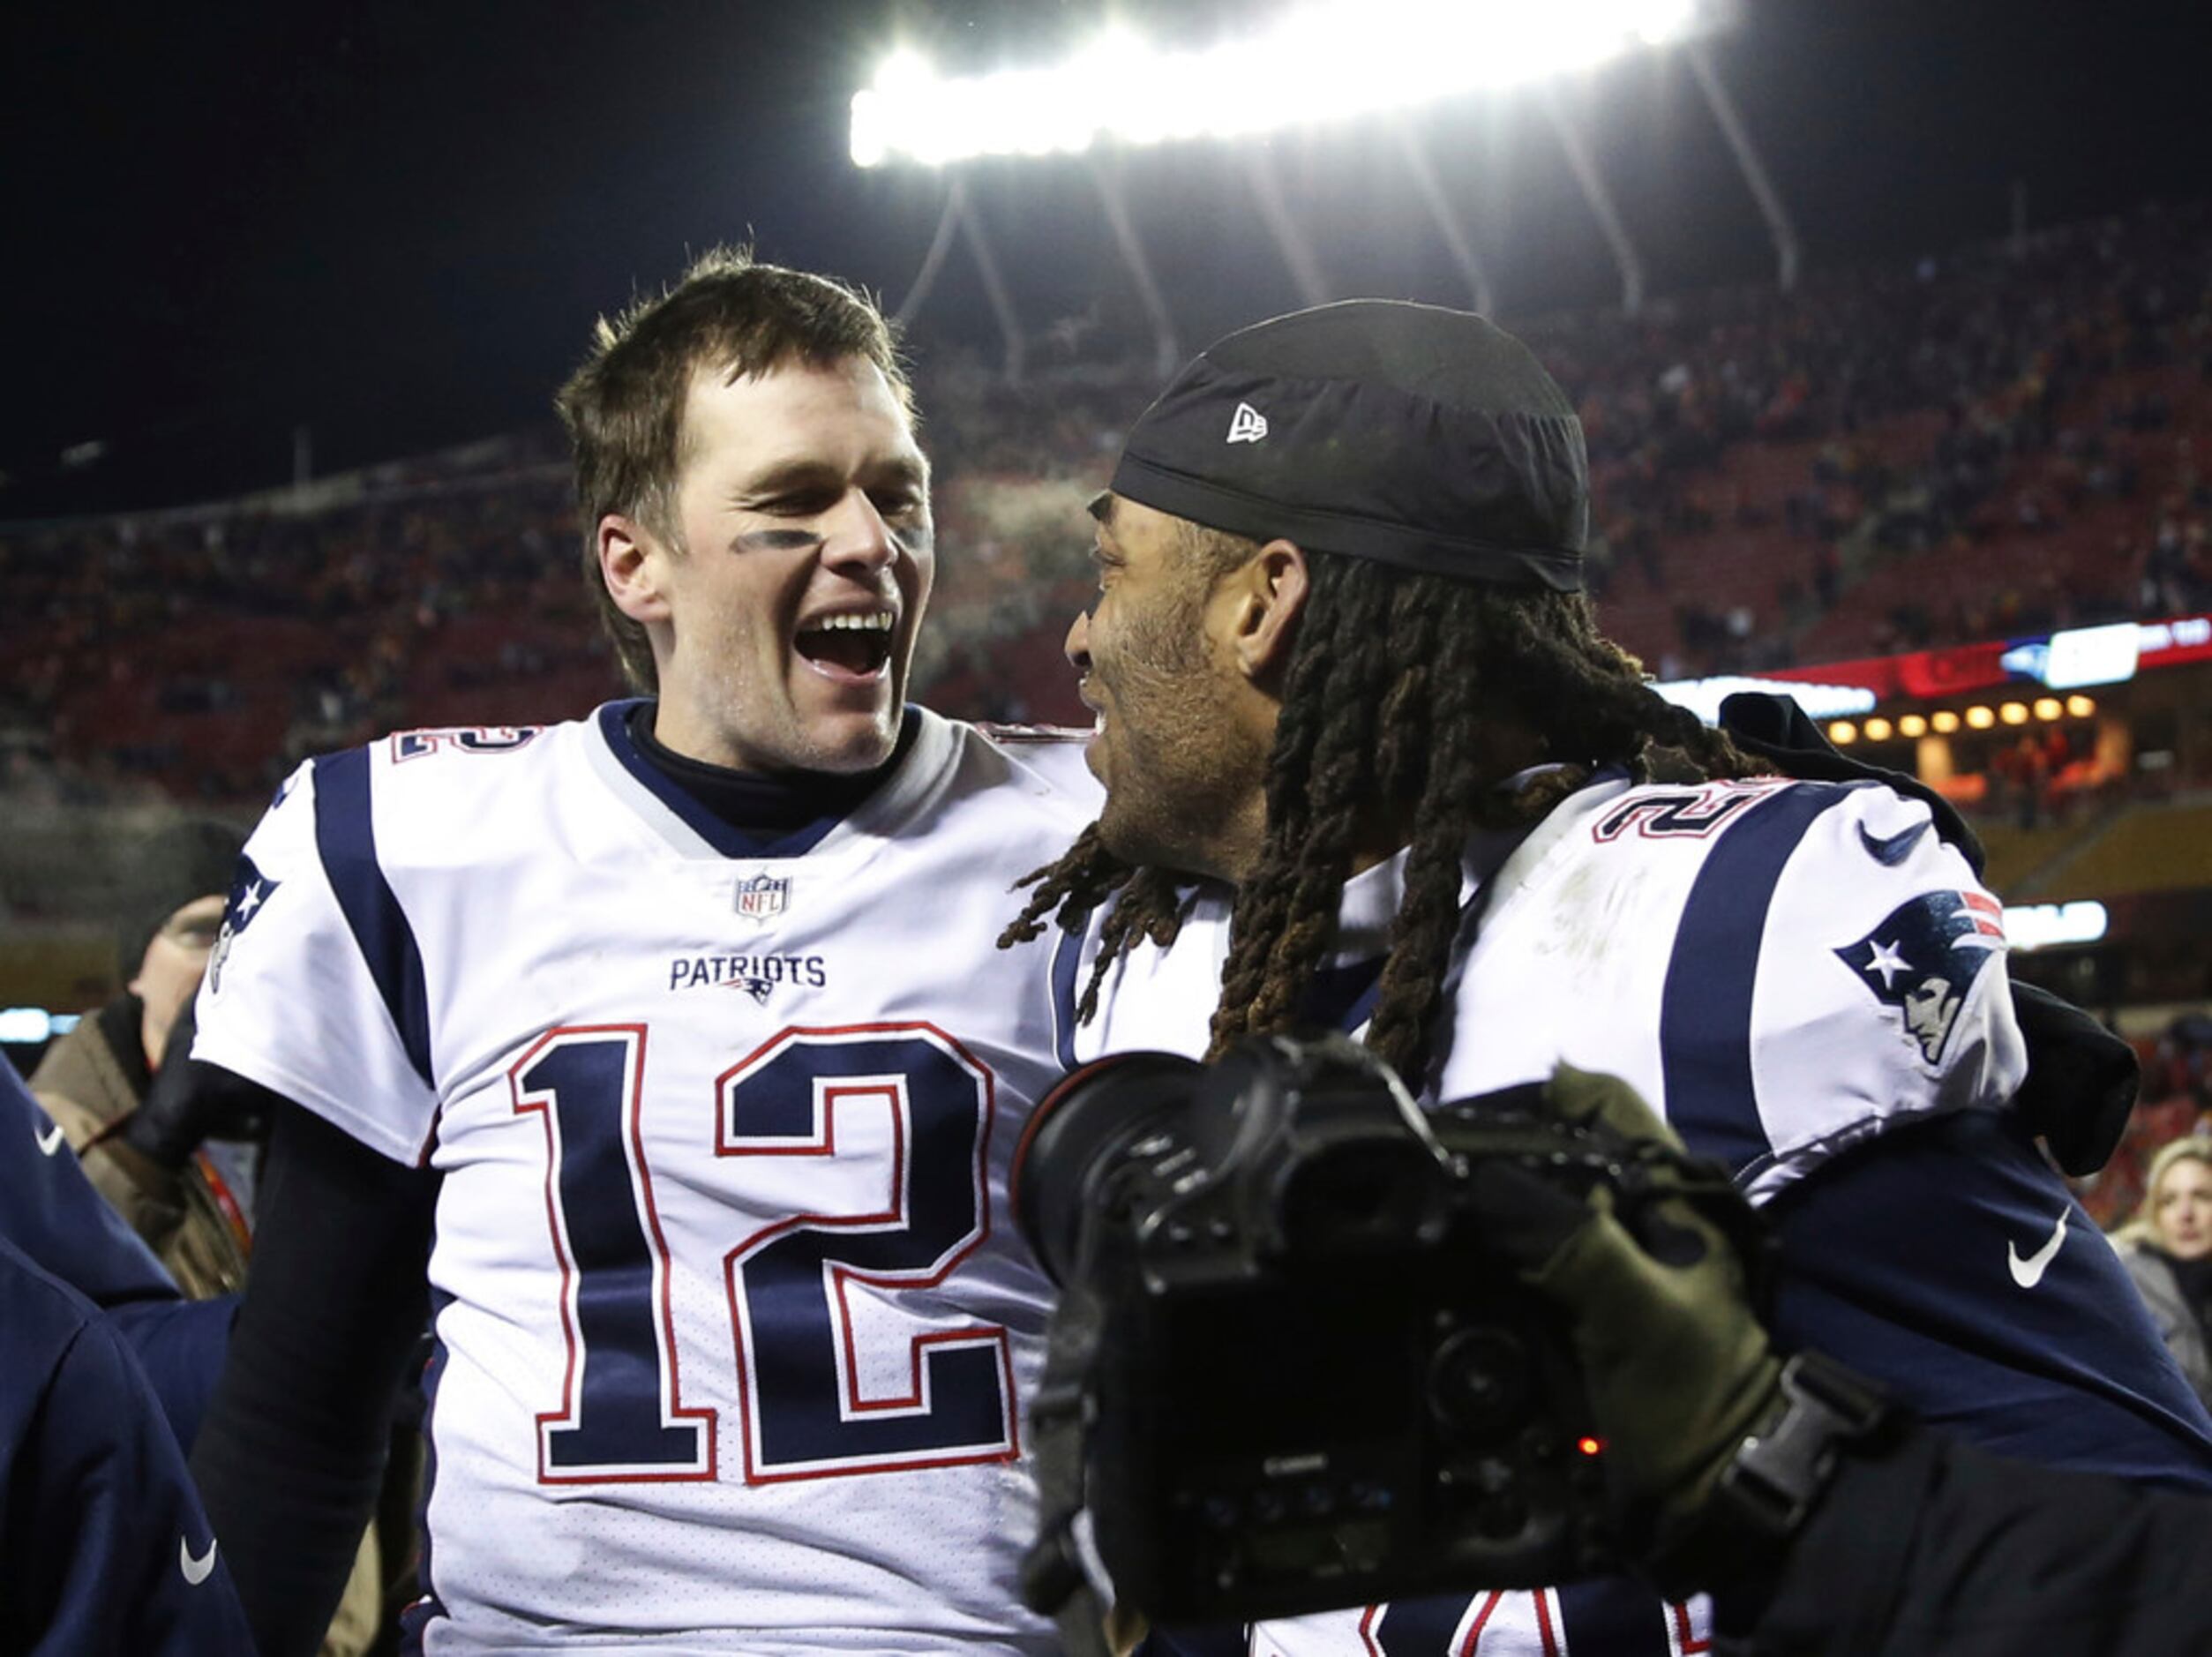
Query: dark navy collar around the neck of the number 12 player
(744,815)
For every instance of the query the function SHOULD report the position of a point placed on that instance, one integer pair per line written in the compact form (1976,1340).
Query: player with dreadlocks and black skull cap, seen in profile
(1370,764)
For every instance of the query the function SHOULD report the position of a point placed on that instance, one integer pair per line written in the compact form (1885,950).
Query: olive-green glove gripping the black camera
(1676,1364)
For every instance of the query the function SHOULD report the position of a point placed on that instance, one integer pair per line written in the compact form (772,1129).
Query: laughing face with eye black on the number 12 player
(804,570)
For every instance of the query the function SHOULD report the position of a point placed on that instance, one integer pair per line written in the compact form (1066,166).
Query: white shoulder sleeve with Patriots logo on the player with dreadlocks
(1780,968)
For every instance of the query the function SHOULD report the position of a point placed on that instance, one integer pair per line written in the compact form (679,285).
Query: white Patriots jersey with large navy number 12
(733,1324)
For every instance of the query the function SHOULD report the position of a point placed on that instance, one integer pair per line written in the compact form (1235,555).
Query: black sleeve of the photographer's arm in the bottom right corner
(1930,1545)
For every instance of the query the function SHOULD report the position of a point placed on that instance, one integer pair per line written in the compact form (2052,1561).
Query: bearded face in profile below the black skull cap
(1180,769)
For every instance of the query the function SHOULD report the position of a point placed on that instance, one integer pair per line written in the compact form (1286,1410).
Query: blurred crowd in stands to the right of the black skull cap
(1954,415)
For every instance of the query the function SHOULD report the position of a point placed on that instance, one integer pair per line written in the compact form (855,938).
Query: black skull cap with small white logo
(1375,428)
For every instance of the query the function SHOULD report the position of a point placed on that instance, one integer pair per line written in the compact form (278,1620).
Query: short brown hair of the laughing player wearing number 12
(625,406)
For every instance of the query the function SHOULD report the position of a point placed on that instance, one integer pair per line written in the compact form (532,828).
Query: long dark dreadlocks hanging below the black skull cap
(1421,694)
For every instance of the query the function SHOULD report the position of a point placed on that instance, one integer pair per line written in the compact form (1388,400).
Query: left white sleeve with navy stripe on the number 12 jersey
(315,986)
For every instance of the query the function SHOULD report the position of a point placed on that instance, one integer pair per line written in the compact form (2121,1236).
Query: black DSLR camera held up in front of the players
(1286,1375)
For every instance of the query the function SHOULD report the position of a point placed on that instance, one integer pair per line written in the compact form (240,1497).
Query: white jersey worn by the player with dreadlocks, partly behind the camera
(1784,970)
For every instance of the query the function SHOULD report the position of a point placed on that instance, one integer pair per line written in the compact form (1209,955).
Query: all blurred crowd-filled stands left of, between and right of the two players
(1888,459)
